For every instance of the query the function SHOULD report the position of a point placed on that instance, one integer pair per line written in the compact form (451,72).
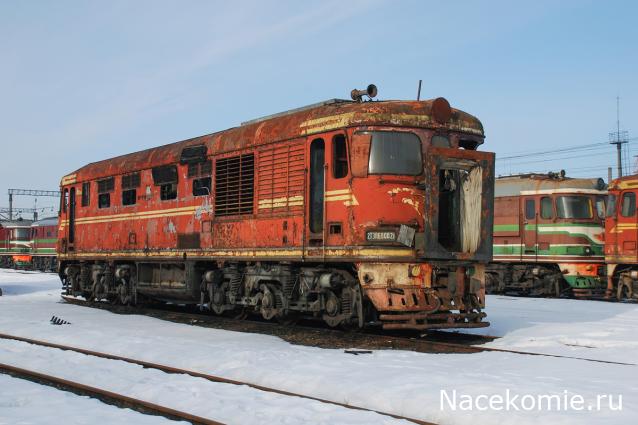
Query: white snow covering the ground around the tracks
(406,383)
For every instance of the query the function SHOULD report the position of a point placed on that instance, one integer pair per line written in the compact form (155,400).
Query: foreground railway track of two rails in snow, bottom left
(145,406)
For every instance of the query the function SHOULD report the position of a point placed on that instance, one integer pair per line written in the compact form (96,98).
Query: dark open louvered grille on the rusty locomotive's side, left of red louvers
(234,185)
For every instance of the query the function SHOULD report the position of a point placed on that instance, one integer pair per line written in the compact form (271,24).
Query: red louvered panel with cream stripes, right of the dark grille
(281,178)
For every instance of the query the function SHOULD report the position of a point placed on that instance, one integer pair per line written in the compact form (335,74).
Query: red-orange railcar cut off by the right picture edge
(621,237)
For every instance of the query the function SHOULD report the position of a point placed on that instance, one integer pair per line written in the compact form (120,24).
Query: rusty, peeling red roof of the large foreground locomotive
(305,121)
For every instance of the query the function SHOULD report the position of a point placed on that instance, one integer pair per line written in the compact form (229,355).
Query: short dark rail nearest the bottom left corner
(103,395)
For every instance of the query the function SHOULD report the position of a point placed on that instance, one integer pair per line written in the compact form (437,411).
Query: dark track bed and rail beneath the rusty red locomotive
(320,336)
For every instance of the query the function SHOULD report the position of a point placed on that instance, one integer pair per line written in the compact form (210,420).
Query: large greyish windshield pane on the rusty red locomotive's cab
(394,152)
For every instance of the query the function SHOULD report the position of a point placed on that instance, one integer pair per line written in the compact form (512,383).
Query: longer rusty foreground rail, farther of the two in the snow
(212,378)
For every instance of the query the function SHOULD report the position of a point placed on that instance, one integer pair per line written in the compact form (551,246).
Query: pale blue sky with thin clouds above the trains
(81,81)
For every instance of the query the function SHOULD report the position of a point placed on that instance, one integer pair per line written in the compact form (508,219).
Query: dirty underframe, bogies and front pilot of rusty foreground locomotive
(392,295)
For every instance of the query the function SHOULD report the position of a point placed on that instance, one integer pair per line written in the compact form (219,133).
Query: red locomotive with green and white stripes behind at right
(548,236)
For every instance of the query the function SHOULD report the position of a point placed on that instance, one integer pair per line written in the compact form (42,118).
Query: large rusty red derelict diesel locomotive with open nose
(352,212)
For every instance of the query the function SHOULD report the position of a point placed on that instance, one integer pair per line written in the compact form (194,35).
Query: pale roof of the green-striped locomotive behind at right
(542,183)
